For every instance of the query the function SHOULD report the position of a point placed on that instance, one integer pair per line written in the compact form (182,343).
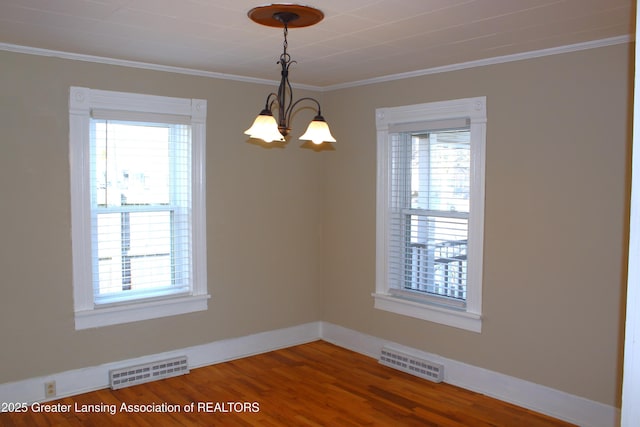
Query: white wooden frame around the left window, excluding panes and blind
(82,102)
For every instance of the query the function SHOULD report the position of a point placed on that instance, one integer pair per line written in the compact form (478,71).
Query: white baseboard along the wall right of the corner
(555,403)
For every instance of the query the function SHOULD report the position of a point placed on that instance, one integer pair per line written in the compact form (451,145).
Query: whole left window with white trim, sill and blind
(137,206)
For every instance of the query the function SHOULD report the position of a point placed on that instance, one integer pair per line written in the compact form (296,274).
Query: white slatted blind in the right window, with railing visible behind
(428,229)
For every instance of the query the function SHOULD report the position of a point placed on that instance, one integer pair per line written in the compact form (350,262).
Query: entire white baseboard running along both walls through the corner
(555,403)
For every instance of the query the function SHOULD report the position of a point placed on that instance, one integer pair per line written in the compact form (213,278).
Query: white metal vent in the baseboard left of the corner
(132,375)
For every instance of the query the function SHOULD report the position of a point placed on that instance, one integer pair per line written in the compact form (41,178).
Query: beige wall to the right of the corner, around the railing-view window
(555,221)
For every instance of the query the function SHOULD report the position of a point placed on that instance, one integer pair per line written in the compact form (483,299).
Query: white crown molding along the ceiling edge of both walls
(400,76)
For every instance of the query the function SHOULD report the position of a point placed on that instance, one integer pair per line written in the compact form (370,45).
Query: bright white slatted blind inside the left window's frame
(140,209)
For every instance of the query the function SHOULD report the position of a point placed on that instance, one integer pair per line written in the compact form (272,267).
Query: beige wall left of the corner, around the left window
(262,207)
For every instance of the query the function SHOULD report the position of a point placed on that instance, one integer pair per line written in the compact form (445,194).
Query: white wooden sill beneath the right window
(425,311)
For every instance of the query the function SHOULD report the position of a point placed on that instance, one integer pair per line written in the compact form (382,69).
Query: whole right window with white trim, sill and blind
(430,211)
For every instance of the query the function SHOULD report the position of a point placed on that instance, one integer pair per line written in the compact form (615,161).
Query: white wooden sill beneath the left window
(133,312)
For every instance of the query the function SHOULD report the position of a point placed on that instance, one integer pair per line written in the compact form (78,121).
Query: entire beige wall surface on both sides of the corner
(291,233)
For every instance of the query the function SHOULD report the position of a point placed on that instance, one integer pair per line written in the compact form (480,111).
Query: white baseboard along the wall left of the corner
(93,378)
